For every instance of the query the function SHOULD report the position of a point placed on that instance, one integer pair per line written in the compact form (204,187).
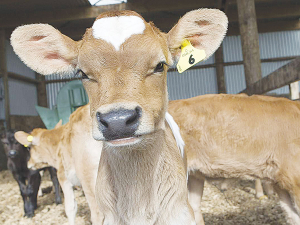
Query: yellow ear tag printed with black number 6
(189,56)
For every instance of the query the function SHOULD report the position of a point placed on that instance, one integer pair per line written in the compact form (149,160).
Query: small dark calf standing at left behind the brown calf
(27,179)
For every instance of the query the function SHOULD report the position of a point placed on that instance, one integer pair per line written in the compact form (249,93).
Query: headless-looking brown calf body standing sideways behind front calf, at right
(236,136)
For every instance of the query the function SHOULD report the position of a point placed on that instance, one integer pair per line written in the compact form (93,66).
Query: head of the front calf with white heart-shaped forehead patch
(123,62)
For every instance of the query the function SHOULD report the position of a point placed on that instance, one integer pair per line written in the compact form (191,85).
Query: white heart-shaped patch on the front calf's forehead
(116,30)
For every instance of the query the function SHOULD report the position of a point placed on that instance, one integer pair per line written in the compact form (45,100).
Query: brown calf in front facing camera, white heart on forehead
(123,61)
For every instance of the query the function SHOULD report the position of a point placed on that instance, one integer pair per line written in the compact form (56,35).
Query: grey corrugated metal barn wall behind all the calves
(188,84)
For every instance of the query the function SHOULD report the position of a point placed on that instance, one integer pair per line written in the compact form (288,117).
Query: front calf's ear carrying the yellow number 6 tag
(204,28)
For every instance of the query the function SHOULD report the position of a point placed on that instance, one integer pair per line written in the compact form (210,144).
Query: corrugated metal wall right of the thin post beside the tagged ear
(272,45)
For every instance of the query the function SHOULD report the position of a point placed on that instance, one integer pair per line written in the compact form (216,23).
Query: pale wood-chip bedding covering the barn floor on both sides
(236,206)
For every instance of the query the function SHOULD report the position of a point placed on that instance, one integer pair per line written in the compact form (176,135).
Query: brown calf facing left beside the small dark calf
(72,150)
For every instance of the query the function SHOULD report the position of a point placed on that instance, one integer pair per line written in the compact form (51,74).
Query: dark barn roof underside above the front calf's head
(272,15)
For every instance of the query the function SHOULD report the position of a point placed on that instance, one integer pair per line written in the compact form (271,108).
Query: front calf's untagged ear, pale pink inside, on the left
(44,49)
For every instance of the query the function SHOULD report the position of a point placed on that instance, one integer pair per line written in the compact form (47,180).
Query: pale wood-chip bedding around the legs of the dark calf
(11,205)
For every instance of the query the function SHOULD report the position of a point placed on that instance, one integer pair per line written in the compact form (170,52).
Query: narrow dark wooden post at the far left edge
(4,75)
